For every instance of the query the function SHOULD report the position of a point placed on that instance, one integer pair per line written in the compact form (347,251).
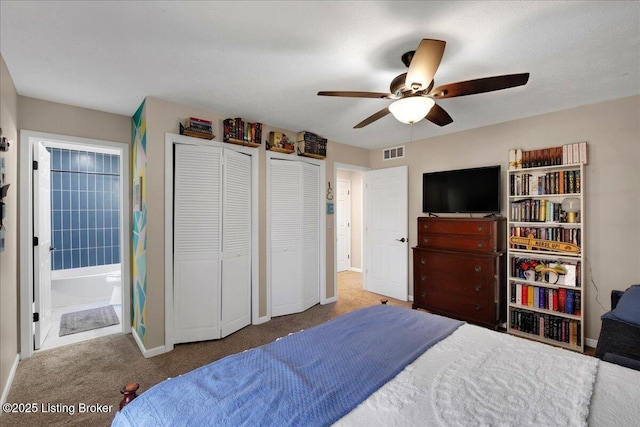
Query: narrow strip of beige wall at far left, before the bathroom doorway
(9,257)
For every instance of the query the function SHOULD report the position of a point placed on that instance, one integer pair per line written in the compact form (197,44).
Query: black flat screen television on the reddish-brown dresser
(475,190)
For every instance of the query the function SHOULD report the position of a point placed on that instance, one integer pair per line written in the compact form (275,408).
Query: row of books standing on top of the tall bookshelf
(567,154)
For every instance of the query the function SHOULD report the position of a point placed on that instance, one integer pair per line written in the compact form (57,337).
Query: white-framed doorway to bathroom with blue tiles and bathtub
(72,288)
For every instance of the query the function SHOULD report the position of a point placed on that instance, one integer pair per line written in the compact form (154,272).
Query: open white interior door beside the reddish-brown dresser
(386,232)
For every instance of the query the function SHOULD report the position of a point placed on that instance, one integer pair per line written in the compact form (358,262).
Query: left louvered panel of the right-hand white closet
(285,233)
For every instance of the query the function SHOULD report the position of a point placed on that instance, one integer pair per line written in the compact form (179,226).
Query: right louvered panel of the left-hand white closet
(236,242)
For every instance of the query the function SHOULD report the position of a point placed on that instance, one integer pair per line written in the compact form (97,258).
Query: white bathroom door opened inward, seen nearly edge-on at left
(42,252)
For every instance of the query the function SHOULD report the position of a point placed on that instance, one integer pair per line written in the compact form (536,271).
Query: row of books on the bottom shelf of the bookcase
(551,327)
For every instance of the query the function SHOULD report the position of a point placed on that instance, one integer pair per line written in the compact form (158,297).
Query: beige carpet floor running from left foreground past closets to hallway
(92,372)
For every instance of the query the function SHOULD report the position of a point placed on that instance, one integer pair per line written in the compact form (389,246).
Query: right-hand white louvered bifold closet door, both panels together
(294,235)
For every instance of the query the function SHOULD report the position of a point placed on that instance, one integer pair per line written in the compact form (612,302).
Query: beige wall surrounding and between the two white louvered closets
(164,116)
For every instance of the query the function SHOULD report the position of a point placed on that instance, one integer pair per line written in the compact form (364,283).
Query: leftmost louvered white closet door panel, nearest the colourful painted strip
(197,229)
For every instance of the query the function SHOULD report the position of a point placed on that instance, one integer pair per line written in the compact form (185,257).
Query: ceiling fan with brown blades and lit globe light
(413,91)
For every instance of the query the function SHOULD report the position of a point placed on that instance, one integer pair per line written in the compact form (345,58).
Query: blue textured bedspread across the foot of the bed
(310,378)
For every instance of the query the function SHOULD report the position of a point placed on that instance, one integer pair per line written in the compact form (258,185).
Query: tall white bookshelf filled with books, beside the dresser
(546,296)
